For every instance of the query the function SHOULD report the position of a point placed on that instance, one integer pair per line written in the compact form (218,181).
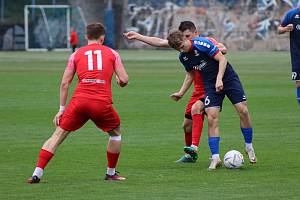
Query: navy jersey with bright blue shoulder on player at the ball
(201,57)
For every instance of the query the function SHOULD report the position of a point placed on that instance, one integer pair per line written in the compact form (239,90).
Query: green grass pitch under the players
(152,134)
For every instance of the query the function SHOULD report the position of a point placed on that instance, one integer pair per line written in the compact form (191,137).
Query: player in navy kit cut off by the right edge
(291,24)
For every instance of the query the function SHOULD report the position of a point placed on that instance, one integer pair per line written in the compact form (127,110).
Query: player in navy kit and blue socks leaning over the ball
(219,80)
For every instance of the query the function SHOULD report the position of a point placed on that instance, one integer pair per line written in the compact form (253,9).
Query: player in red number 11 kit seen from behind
(94,65)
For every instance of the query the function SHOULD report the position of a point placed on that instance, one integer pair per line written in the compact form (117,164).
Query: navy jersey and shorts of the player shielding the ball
(201,58)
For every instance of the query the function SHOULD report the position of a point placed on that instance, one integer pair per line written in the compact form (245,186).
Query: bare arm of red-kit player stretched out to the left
(153,41)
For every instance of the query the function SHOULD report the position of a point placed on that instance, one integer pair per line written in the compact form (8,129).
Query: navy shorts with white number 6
(233,89)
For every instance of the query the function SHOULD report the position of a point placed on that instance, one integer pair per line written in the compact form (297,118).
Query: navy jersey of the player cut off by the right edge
(293,17)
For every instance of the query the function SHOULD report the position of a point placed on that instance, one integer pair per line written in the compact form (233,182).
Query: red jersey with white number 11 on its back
(94,65)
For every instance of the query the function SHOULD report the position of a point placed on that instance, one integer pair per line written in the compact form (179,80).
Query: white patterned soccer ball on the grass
(233,159)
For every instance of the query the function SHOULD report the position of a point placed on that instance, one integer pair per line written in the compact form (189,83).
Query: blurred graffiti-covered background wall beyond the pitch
(240,24)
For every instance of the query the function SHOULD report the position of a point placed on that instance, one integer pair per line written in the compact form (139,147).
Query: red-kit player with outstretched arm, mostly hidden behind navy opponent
(193,120)
